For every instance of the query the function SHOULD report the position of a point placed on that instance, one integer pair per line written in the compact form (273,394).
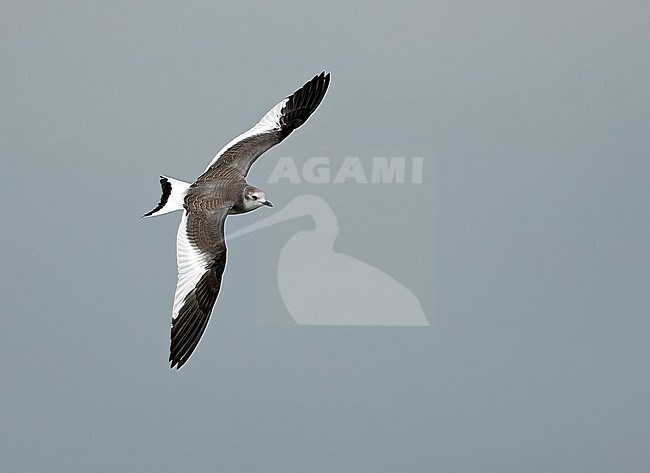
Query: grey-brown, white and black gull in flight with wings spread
(220,191)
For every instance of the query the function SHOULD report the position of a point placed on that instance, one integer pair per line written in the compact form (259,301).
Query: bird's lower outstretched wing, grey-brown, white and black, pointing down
(201,259)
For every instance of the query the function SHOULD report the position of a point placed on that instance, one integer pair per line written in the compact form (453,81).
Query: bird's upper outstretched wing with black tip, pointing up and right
(274,127)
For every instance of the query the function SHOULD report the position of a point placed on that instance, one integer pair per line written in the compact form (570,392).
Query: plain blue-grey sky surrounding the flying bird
(526,243)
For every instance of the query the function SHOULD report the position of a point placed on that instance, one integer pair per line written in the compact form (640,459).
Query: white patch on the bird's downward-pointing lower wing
(192,265)
